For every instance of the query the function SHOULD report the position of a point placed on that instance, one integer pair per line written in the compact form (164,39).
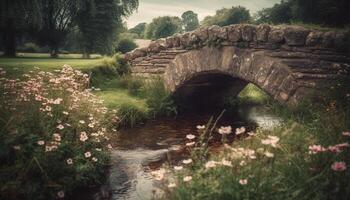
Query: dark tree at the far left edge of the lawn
(17,16)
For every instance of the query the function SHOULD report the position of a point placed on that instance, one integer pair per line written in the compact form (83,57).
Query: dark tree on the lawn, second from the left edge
(57,22)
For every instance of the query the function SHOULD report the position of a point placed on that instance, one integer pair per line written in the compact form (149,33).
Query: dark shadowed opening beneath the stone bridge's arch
(207,91)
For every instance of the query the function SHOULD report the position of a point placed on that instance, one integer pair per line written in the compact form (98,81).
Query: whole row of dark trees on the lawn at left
(92,25)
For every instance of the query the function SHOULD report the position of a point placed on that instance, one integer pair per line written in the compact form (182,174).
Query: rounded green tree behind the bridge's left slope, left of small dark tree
(162,27)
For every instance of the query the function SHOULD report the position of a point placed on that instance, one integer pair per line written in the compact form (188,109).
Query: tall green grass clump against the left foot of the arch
(158,99)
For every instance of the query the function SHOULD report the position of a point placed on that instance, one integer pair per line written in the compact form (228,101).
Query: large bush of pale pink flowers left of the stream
(53,136)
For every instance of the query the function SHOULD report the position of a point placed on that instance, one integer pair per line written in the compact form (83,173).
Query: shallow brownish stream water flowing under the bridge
(144,148)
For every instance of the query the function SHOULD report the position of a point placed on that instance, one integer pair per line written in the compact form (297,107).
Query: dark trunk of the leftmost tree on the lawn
(10,39)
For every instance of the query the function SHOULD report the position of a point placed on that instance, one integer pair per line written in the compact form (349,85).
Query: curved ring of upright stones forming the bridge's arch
(242,65)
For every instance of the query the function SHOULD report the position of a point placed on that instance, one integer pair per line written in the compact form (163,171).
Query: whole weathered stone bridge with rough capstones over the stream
(287,62)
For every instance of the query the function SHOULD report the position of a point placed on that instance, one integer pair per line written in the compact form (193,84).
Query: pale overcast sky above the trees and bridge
(148,9)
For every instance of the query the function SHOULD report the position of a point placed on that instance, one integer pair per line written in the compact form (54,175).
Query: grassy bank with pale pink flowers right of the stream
(305,158)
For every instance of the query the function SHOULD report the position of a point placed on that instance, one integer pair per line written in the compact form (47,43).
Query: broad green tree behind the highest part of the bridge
(227,16)
